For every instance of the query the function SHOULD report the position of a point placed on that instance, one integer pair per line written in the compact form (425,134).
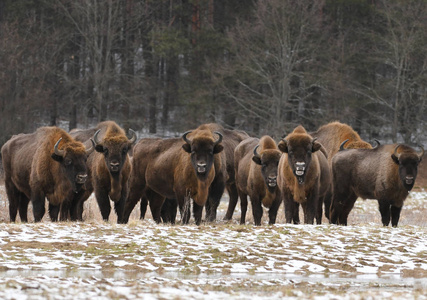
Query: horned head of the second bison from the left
(115,149)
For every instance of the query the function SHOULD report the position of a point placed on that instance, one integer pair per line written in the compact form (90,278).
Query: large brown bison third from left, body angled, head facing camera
(169,168)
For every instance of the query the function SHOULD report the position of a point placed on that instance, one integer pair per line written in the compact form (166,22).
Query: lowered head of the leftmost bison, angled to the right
(73,158)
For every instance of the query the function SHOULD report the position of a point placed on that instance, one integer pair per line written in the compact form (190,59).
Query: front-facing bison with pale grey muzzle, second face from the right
(303,176)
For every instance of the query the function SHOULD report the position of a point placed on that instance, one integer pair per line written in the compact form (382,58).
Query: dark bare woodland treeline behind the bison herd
(165,66)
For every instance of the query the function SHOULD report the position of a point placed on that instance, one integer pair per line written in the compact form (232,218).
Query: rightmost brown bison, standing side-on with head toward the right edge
(386,173)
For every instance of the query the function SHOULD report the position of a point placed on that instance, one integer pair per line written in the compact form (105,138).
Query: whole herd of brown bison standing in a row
(328,168)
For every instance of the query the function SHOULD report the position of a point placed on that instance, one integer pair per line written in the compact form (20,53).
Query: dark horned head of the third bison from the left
(202,149)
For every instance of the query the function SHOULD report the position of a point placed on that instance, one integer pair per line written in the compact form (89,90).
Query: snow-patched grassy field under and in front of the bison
(223,260)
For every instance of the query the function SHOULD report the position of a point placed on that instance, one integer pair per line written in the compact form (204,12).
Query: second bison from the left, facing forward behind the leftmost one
(109,167)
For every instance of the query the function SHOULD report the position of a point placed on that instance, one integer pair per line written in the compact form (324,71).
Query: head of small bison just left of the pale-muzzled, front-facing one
(269,161)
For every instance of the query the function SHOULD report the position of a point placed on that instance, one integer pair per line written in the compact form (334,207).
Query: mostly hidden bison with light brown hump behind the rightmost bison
(331,136)
